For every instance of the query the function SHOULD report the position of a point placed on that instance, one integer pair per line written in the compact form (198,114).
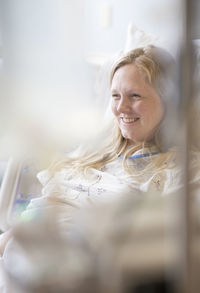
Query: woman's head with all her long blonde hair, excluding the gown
(142,85)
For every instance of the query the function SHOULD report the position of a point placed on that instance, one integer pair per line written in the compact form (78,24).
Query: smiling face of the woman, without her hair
(135,104)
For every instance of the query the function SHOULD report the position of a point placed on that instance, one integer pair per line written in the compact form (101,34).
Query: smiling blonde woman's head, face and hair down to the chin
(141,93)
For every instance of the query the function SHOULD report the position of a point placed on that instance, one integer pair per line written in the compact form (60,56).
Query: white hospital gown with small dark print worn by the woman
(63,191)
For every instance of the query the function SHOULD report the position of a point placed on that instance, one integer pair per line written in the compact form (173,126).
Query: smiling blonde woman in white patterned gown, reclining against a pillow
(133,157)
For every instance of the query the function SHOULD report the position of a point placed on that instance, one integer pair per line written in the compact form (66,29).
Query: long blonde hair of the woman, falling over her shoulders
(149,59)
